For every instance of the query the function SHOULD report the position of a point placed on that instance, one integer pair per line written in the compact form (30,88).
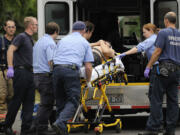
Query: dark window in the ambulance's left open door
(59,13)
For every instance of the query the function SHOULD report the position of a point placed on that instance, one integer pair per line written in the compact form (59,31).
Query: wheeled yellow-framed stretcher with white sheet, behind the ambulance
(102,75)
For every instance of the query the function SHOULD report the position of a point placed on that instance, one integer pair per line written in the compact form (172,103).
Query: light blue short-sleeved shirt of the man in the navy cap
(73,49)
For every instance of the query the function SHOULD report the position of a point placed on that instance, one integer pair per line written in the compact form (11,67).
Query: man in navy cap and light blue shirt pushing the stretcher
(71,52)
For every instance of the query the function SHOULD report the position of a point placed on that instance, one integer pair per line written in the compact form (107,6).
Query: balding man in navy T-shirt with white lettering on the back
(166,81)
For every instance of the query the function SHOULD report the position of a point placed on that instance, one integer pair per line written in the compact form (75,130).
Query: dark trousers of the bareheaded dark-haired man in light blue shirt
(43,83)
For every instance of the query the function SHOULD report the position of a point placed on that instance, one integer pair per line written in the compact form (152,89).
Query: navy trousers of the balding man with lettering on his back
(160,86)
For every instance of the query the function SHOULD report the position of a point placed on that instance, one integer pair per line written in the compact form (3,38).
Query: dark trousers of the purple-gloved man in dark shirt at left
(23,95)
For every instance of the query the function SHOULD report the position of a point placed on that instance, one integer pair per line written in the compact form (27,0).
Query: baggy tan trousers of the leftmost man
(6,93)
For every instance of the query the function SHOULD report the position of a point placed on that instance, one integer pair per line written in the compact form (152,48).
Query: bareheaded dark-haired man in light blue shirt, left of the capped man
(42,58)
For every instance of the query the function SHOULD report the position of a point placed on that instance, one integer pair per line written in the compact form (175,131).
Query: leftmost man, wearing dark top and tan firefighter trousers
(6,90)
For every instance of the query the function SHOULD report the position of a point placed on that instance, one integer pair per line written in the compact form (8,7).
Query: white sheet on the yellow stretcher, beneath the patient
(98,70)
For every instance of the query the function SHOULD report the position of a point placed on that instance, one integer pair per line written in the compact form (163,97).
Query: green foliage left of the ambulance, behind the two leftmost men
(17,10)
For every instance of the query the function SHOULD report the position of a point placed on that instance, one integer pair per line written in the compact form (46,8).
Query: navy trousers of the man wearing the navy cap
(67,88)
